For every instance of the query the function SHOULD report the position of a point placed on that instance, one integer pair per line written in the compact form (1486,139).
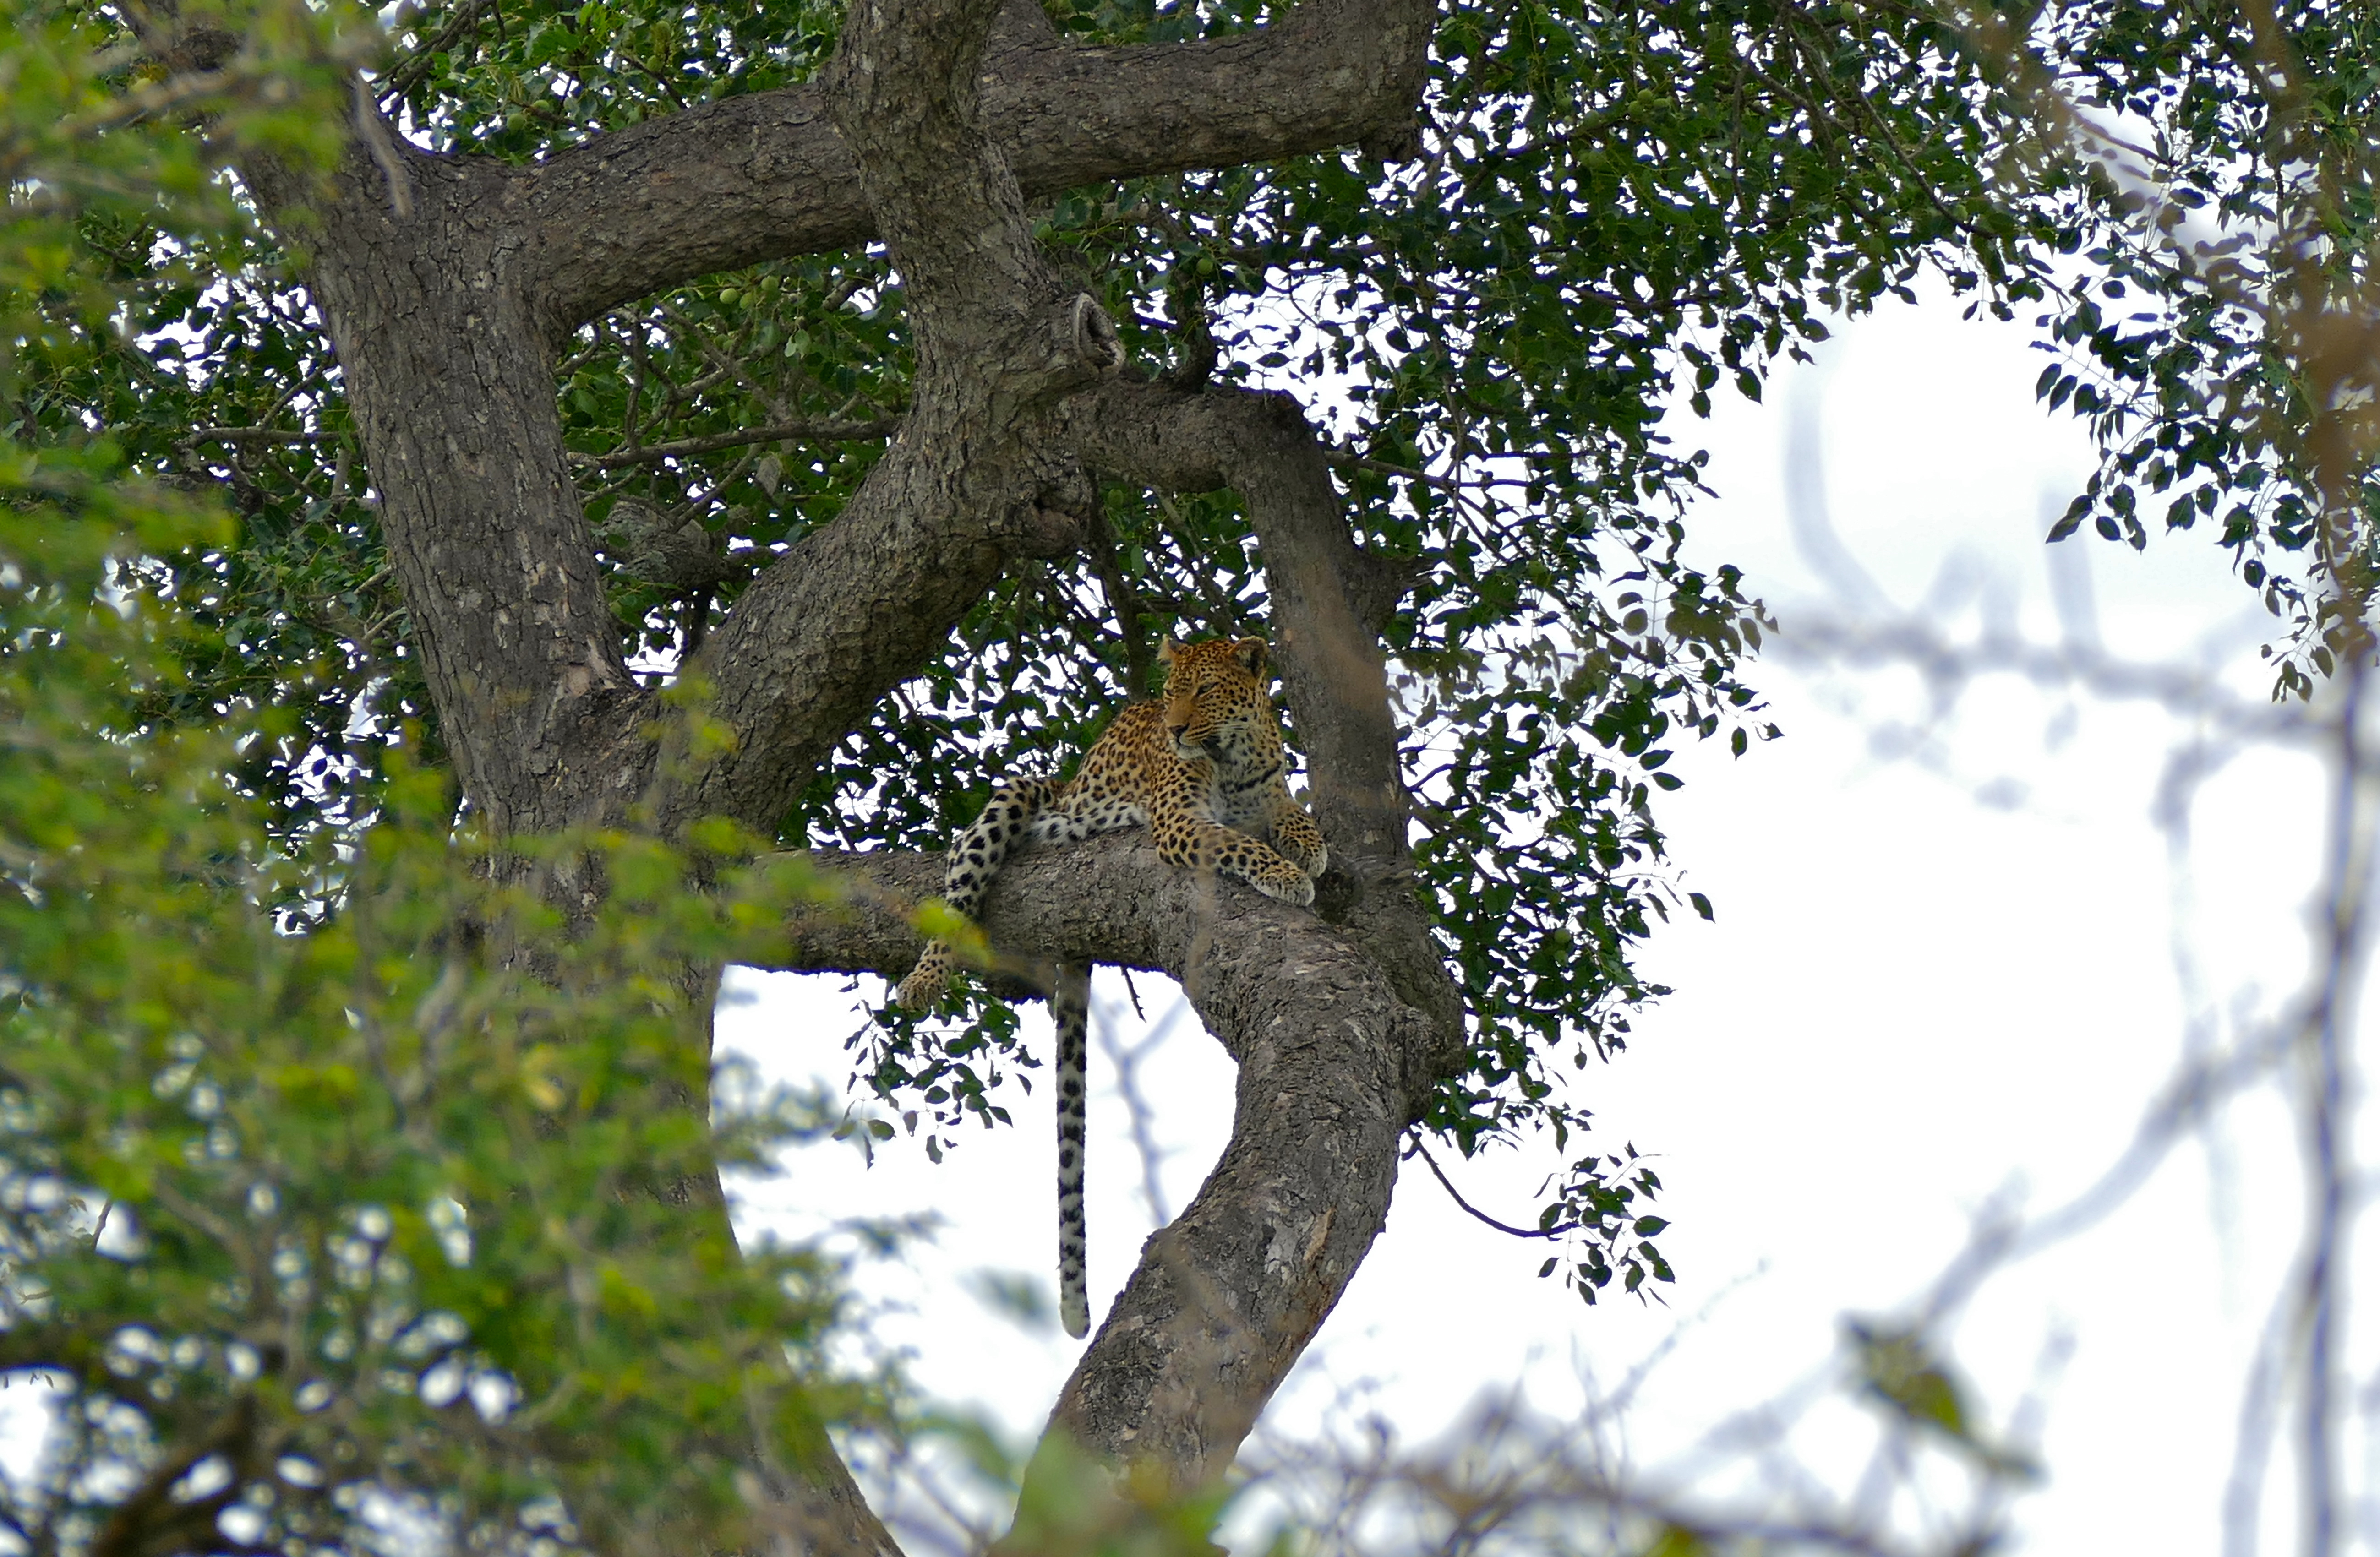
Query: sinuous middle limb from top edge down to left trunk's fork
(970,482)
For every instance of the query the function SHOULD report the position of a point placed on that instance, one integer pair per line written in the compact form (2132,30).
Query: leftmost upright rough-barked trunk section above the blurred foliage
(453,396)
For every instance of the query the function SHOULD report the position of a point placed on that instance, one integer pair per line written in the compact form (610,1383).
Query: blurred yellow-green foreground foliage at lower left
(344,1192)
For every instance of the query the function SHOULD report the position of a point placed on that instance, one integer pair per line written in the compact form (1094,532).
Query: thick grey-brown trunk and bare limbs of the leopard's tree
(449,284)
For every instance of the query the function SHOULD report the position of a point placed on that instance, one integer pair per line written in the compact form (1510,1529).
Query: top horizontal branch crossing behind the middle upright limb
(763,177)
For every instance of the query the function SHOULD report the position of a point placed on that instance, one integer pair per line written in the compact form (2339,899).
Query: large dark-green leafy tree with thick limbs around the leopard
(889,382)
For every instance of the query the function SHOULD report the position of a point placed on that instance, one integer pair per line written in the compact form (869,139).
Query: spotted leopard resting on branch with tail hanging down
(1205,770)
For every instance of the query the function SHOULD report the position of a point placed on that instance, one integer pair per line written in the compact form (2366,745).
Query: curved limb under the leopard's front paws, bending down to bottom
(1332,1068)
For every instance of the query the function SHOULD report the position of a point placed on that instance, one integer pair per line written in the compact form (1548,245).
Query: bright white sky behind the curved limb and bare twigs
(1943,970)
